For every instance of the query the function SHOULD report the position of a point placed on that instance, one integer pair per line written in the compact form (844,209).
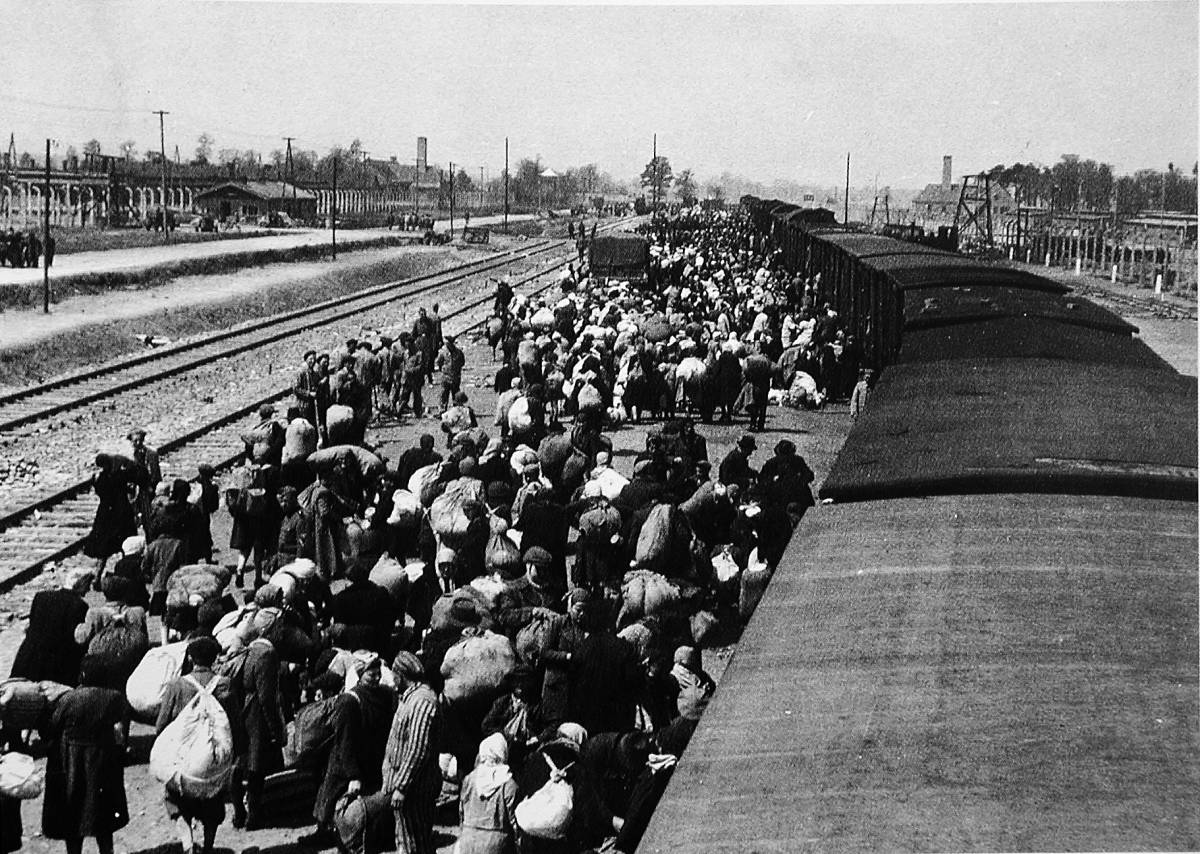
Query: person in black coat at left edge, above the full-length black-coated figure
(50,649)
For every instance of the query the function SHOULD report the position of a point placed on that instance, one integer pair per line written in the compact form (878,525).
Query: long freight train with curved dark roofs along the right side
(986,639)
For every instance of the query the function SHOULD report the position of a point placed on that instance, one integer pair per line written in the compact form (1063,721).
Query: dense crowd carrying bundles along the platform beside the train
(499,621)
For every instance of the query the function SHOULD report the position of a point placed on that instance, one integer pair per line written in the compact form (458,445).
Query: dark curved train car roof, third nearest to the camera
(1027,338)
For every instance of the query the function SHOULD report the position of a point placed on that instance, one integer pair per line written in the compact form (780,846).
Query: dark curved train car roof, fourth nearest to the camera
(968,303)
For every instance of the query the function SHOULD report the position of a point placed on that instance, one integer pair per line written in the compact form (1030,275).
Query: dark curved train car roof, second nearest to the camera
(1021,425)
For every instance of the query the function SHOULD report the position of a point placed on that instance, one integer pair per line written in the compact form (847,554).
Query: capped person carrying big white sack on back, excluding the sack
(202,654)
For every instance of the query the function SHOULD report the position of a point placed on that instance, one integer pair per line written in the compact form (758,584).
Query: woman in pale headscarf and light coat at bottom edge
(488,802)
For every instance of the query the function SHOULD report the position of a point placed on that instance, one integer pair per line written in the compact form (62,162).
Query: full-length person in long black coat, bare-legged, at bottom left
(86,763)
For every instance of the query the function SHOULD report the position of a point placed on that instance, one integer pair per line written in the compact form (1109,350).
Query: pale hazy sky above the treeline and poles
(763,92)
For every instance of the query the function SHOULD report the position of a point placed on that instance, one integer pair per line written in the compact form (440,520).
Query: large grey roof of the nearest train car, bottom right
(958,673)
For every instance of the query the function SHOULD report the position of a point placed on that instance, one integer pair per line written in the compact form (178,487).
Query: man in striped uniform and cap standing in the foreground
(411,763)
